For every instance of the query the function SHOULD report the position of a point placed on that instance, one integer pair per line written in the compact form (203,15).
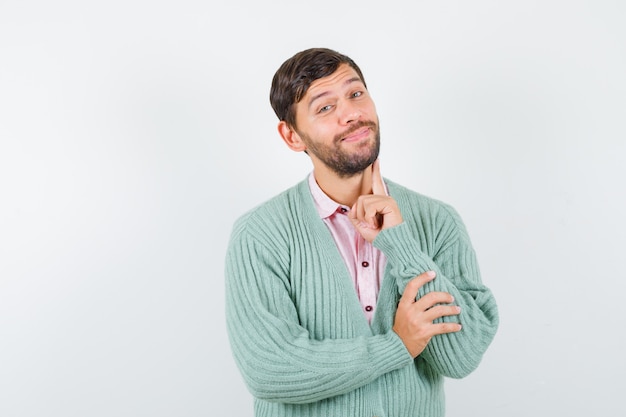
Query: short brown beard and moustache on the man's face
(347,164)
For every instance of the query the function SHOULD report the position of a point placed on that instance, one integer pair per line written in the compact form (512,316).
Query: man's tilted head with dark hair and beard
(324,108)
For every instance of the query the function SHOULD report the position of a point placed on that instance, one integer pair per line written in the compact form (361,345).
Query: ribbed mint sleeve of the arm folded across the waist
(278,358)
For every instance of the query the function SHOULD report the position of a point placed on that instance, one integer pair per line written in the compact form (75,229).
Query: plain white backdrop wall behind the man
(133,133)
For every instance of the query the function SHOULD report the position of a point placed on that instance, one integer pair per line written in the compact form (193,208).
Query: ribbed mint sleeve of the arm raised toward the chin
(433,237)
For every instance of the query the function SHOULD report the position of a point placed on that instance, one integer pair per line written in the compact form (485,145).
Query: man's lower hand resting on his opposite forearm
(414,318)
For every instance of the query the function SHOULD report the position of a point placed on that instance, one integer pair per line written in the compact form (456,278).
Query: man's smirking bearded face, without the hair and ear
(337,121)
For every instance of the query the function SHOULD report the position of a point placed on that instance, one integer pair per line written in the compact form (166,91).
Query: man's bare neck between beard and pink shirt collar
(344,190)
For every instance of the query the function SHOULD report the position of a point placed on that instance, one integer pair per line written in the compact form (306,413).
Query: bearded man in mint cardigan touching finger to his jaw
(349,295)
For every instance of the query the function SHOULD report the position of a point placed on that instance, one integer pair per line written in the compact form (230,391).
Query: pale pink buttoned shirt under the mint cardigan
(365,263)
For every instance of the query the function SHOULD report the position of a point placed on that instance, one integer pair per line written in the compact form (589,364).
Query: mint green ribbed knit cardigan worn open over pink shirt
(298,333)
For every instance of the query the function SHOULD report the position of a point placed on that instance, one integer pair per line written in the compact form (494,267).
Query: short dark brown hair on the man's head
(295,75)
